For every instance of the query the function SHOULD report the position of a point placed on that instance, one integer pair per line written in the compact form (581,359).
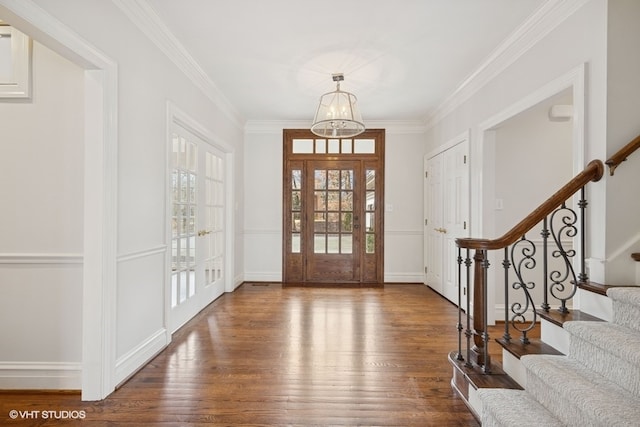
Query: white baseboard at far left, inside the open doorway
(40,376)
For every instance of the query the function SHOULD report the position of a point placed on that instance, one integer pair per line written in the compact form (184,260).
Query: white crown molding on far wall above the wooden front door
(390,126)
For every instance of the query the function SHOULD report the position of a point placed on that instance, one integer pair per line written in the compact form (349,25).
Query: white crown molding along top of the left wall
(145,18)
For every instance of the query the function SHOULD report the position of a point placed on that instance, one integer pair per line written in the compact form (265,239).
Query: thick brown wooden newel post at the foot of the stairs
(479,354)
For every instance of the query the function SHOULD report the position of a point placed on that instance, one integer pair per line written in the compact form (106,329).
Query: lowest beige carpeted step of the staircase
(503,407)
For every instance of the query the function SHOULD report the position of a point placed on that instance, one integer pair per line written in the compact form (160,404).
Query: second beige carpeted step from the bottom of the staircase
(578,396)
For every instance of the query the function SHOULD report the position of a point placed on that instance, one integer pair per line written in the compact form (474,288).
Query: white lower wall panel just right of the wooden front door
(403,256)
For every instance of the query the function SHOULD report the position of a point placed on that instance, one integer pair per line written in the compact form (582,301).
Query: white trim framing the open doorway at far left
(100,189)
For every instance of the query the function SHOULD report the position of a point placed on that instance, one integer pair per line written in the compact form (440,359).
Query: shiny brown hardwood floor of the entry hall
(273,355)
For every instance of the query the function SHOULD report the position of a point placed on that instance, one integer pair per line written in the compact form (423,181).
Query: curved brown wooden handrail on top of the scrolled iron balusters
(593,172)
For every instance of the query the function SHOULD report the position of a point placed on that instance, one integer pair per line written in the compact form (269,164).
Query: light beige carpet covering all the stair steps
(596,384)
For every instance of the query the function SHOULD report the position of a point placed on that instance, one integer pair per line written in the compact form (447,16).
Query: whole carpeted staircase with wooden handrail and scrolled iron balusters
(585,369)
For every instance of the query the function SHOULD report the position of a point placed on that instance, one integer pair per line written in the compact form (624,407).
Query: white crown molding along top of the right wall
(541,23)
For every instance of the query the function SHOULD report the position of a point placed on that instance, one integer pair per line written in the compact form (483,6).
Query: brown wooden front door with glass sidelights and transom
(333,214)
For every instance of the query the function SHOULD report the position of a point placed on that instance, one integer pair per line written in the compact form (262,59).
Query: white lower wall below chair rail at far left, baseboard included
(41,310)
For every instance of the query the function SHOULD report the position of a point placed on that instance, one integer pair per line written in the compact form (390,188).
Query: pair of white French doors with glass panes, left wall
(197,208)
